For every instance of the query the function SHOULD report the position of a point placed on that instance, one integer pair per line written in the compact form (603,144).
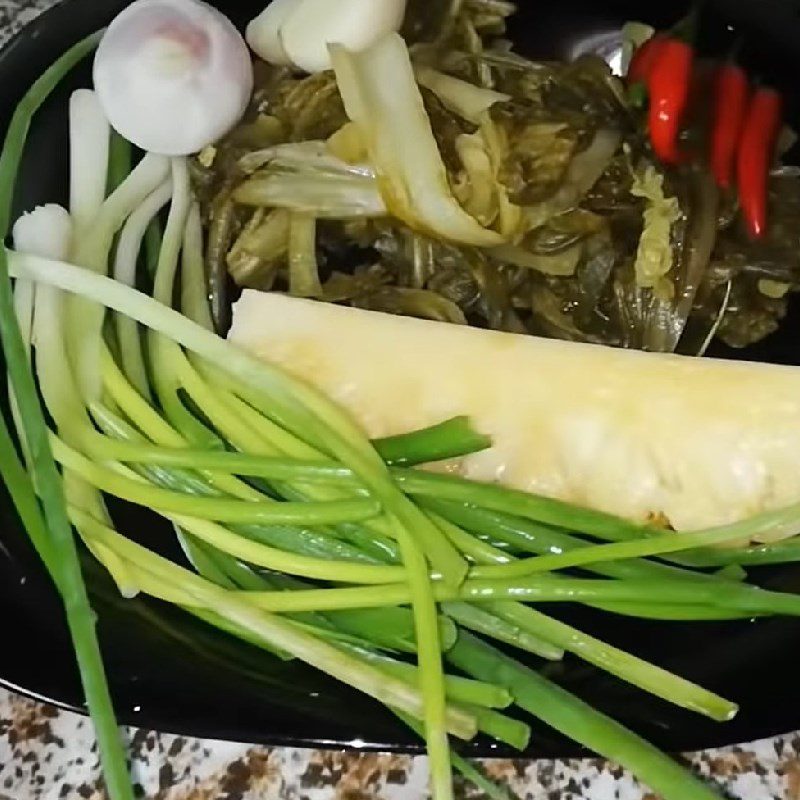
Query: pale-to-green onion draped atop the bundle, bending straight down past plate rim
(310,415)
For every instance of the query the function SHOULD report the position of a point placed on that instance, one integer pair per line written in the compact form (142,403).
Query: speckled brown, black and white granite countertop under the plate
(47,754)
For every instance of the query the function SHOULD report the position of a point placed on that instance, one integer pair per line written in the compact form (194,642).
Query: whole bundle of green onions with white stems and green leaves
(298,528)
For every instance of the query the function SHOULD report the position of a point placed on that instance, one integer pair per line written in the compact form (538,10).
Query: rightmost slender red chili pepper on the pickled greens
(756,152)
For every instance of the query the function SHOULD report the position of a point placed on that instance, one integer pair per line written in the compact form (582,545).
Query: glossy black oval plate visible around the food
(170,673)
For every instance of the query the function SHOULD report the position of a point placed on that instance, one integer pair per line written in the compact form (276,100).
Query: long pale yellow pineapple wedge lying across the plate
(698,441)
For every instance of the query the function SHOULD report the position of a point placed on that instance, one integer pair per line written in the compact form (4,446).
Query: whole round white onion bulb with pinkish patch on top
(173,76)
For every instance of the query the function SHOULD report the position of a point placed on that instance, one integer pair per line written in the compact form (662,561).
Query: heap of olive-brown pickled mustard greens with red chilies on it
(578,226)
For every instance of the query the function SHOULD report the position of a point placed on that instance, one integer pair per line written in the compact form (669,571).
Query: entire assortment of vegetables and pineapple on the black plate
(433,174)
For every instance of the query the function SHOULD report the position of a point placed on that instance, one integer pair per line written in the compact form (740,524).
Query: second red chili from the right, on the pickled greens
(731,95)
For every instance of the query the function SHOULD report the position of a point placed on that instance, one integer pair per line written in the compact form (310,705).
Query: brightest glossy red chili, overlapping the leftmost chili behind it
(670,82)
